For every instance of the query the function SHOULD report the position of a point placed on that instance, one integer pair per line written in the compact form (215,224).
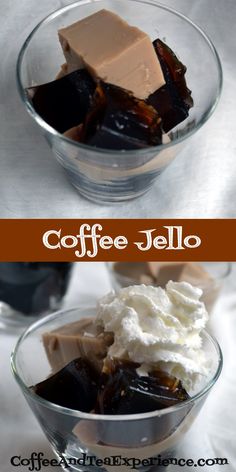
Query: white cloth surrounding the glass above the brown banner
(199,183)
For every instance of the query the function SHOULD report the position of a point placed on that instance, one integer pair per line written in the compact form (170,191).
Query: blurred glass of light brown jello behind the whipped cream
(209,276)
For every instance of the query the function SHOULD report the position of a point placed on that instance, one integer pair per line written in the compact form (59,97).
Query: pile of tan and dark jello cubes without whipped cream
(117,90)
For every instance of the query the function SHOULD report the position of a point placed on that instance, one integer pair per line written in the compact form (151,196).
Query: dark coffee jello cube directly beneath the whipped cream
(124,392)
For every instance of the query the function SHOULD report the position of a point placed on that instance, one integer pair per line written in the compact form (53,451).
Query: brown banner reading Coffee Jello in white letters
(117,240)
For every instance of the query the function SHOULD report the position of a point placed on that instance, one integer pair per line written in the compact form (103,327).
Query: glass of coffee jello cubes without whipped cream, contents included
(136,110)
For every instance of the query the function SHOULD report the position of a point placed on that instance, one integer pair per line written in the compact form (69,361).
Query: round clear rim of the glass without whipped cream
(55,134)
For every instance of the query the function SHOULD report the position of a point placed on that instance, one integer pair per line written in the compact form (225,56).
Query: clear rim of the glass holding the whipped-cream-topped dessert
(98,417)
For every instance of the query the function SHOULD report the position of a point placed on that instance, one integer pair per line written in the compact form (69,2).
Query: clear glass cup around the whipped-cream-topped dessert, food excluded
(74,434)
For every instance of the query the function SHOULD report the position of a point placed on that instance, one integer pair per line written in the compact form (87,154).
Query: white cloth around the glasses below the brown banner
(213,433)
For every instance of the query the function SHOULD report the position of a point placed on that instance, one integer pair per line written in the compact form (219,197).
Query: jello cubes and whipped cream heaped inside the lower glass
(141,353)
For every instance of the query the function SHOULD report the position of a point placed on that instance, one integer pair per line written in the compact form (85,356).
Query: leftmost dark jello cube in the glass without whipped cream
(64,102)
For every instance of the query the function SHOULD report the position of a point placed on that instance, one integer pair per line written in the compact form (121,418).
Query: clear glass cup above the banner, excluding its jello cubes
(112,176)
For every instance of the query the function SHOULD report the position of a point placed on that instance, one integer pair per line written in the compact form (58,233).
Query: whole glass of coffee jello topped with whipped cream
(125,380)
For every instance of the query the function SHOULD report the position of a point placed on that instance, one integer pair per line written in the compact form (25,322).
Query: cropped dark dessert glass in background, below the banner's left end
(31,289)
